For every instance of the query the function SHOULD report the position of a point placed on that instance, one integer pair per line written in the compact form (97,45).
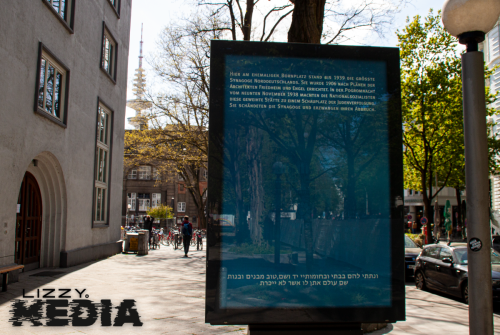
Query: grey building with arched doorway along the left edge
(63,92)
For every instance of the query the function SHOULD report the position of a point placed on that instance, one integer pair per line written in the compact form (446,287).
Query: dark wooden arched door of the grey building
(28,224)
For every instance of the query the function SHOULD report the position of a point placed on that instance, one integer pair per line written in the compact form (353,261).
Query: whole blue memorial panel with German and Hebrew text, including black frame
(305,207)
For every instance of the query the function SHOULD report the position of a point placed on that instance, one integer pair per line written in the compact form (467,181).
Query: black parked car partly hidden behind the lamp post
(443,267)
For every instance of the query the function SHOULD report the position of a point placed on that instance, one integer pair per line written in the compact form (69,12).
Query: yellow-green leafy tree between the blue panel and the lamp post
(432,109)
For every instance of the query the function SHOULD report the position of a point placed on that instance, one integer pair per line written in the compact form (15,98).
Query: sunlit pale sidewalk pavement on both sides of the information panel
(169,291)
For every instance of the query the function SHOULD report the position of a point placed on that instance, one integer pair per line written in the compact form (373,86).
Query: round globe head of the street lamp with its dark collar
(469,20)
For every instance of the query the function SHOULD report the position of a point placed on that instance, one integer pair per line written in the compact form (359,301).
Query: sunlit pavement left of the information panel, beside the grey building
(169,291)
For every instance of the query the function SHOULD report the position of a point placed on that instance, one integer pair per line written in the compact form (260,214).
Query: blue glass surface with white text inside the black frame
(305,212)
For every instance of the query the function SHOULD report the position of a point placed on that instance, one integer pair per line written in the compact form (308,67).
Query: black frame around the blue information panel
(216,316)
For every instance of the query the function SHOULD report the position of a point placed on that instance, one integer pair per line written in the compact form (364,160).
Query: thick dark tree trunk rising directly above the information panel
(307,21)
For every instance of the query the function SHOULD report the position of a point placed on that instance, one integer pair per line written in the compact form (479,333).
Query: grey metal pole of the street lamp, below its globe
(476,174)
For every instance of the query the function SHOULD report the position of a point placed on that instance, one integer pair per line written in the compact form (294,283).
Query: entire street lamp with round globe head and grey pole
(469,20)
